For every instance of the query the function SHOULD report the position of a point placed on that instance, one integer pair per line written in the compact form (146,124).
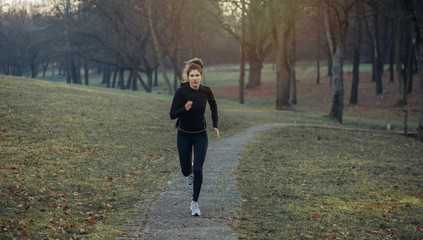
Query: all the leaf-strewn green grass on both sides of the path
(75,159)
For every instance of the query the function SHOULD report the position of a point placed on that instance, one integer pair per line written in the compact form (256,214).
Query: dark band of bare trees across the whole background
(129,41)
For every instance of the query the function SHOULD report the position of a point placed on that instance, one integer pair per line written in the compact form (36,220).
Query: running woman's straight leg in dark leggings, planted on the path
(200,150)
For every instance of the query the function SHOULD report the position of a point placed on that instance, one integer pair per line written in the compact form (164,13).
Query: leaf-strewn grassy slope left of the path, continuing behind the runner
(74,160)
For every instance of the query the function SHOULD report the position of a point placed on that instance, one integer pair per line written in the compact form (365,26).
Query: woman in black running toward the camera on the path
(188,106)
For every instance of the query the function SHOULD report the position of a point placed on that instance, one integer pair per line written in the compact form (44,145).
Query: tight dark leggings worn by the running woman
(185,143)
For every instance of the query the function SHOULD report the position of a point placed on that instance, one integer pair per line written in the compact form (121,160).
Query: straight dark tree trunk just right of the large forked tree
(356,56)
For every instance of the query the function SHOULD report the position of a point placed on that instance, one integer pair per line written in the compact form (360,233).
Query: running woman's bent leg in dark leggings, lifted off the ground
(184,143)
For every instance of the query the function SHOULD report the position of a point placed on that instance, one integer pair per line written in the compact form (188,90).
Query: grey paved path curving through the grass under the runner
(169,216)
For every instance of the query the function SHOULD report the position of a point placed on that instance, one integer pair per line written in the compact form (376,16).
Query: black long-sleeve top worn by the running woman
(193,121)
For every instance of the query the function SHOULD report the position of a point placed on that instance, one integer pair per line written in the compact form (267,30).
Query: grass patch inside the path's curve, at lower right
(327,183)
